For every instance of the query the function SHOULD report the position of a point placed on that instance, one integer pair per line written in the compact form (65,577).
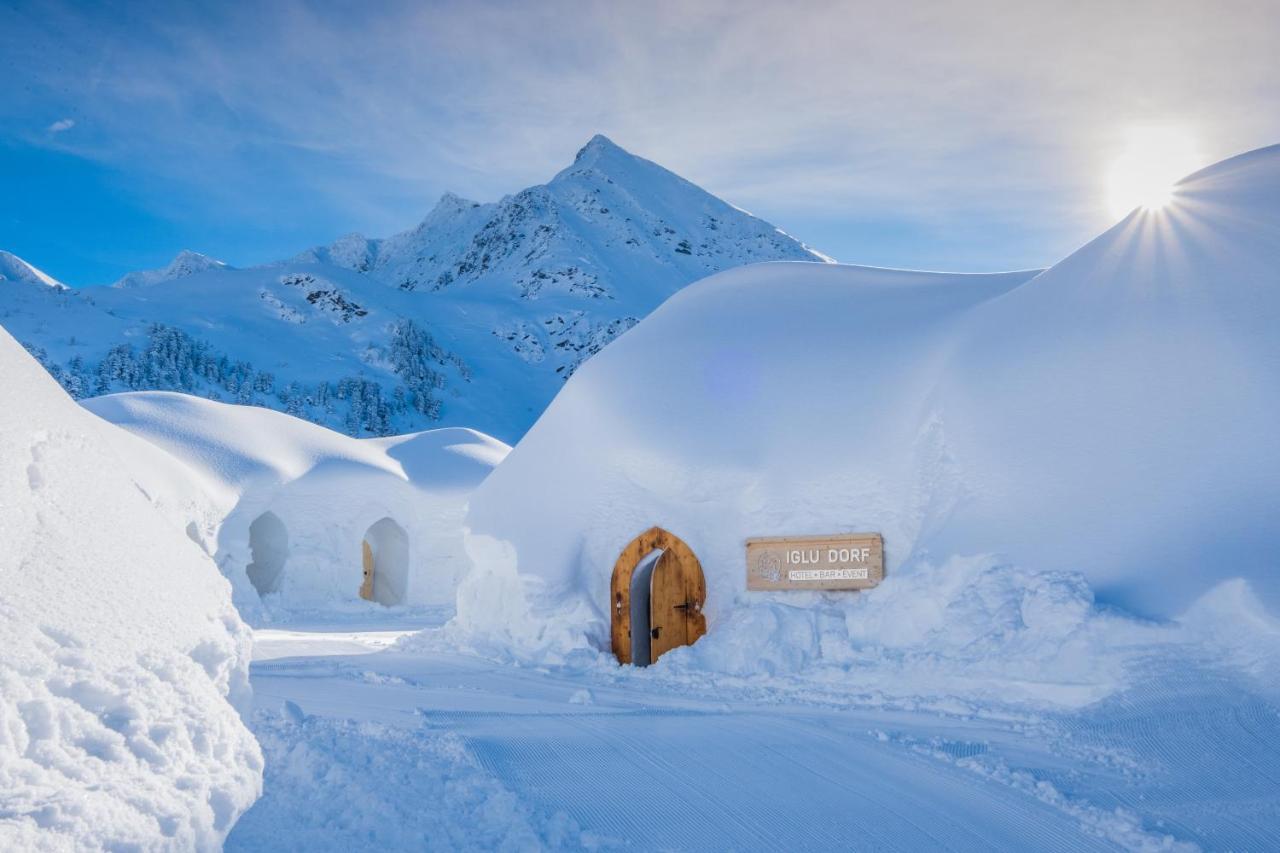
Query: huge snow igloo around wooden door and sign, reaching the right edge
(1112,419)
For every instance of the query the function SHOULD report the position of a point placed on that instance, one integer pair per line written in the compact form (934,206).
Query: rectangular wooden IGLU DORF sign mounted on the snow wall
(840,562)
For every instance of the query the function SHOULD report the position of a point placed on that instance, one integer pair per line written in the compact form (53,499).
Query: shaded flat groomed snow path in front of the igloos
(447,751)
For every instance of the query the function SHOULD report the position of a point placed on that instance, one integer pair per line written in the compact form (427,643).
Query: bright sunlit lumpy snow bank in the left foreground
(122,655)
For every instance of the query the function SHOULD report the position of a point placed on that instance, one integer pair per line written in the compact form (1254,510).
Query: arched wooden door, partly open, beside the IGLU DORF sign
(678,592)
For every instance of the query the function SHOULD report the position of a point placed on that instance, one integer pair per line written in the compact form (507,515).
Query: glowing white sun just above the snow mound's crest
(1154,161)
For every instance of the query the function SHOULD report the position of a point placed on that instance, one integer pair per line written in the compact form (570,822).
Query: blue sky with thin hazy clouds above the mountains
(924,135)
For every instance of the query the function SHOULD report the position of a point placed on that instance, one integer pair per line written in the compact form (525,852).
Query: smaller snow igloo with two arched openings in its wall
(286,507)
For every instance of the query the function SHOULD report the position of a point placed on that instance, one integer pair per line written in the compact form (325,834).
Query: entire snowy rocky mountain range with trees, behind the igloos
(473,318)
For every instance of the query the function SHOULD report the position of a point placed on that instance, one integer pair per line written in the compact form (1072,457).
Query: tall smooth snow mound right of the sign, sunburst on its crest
(1118,414)
